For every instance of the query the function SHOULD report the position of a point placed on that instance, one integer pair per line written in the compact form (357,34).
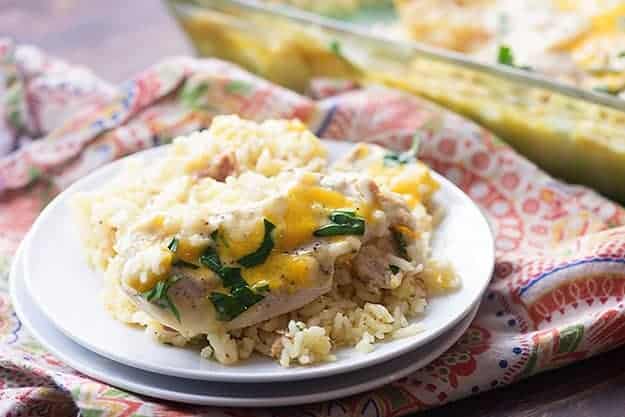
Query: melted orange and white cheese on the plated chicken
(296,204)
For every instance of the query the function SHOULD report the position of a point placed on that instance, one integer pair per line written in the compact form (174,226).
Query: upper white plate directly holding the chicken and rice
(68,292)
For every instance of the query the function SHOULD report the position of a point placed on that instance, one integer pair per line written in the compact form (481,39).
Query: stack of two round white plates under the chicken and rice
(57,297)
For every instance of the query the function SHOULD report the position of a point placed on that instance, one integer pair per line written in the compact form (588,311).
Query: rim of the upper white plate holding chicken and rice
(224,375)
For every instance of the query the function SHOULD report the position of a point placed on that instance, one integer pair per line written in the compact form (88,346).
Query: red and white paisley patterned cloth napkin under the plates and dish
(559,283)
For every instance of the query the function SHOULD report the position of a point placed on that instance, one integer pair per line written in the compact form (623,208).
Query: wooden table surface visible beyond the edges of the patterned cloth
(117,38)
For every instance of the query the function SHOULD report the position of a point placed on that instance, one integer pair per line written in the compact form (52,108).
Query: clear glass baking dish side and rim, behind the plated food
(574,134)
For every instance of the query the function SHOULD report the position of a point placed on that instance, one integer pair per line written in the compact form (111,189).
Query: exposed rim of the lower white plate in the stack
(449,337)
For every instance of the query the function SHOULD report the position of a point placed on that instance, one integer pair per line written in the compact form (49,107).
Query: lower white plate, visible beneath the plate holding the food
(219,393)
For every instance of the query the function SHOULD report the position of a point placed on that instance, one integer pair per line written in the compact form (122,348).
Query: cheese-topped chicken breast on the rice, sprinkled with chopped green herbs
(298,269)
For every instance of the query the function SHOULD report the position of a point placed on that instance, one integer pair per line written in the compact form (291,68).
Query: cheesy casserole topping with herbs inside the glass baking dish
(576,41)
